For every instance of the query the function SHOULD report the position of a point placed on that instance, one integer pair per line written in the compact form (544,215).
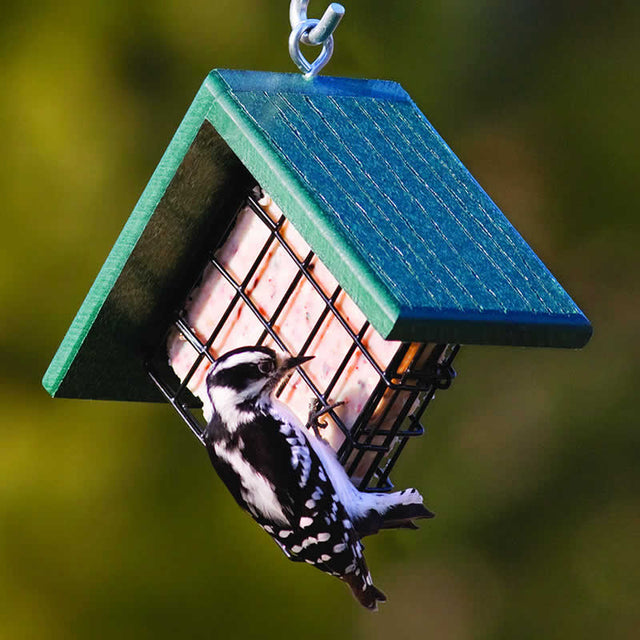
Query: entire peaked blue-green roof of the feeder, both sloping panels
(372,187)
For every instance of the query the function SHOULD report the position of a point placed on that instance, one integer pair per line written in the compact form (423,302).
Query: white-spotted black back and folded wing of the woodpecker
(315,527)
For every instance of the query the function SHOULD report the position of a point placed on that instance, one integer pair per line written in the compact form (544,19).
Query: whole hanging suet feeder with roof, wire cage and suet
(321,216)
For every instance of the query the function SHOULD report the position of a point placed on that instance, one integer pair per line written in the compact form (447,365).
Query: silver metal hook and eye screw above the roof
(312,32)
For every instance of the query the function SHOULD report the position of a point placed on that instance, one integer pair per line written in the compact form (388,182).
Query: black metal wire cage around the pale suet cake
(390,417)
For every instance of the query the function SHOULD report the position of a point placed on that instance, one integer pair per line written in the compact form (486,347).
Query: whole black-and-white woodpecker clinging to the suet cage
(290,480)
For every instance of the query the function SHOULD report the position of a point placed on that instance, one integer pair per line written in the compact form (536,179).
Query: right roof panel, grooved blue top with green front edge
(392,211)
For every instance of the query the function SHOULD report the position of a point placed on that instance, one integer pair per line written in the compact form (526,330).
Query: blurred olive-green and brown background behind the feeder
(113,524)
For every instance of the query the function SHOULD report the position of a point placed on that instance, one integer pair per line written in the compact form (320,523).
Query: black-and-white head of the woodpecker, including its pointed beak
(247,375)
